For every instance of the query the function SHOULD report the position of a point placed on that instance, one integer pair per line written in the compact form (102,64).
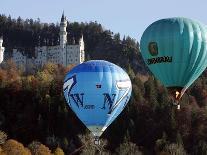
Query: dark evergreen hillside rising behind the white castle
(99,43)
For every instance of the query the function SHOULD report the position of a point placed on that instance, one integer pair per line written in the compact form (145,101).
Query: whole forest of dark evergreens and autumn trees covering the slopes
(35,119)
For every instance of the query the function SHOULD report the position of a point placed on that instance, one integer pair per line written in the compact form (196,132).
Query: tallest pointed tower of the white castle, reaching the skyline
(63,32)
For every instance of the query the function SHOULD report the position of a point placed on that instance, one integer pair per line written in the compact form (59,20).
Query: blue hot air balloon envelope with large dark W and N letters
(97,91)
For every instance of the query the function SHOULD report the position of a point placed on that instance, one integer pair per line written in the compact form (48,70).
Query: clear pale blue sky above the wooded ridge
(128,17)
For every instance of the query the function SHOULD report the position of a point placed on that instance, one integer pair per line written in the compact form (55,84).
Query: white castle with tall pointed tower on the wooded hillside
(63,53)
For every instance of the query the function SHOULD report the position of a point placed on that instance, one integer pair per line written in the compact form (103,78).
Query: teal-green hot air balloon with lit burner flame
(175,50)
